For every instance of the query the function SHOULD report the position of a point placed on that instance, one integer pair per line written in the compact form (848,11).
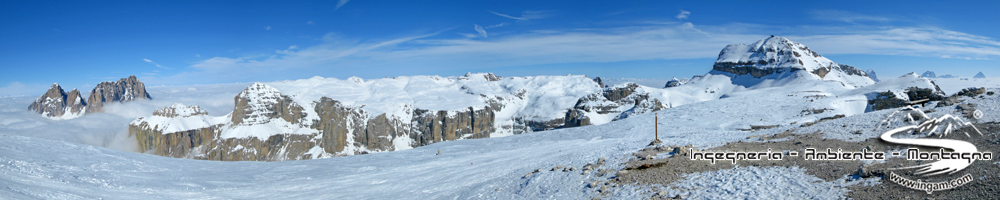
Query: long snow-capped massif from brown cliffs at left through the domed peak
(324,117)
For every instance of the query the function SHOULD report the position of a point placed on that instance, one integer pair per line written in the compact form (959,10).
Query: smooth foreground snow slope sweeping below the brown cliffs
(484,168)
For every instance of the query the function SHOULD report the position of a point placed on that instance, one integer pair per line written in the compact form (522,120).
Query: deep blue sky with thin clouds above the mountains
(79,44)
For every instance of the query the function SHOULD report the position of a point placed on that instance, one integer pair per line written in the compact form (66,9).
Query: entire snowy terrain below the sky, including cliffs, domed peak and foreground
(477,136)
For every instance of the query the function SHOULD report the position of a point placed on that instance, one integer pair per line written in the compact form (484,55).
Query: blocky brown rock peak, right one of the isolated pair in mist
(124,90)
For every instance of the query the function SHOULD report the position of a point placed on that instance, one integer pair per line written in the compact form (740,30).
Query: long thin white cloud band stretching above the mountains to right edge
(422,54)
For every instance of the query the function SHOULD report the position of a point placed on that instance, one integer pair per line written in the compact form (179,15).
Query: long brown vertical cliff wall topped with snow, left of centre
(268,126)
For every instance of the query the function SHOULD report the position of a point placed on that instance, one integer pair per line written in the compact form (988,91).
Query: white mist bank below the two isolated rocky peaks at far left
(110,128)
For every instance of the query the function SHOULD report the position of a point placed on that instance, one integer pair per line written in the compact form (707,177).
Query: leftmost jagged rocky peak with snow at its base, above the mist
(56,103)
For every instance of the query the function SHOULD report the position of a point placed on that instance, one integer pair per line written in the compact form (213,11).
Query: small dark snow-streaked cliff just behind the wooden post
(612,103)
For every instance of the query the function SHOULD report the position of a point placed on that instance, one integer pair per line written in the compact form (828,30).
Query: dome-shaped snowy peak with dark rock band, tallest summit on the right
(779,58)
